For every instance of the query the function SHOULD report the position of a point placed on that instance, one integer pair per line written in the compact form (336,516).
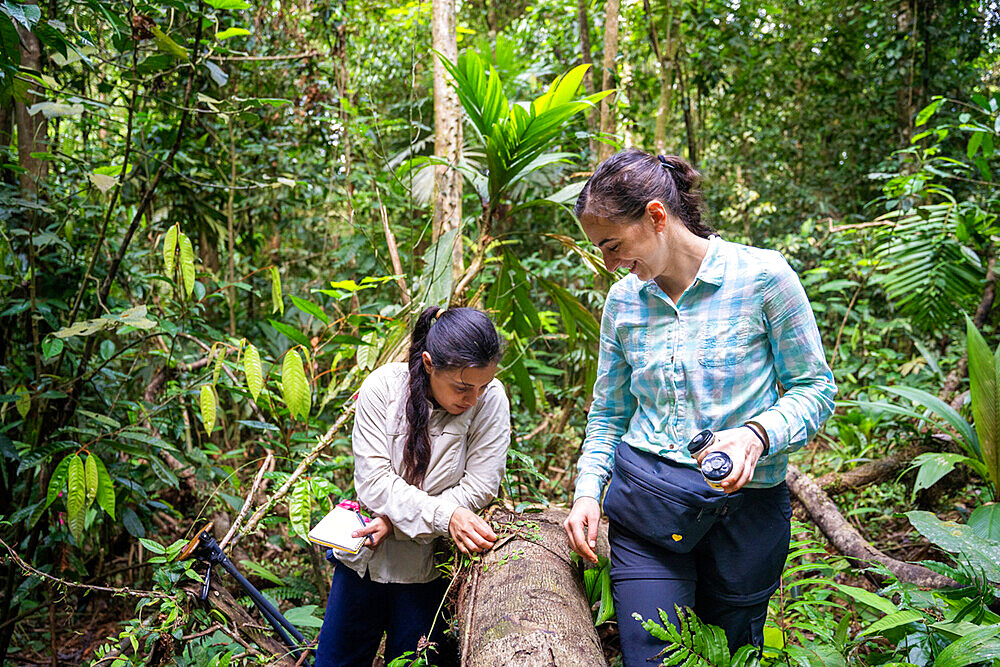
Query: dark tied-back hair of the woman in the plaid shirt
(623,184)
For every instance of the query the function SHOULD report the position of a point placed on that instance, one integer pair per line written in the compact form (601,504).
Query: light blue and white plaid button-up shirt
(714,360)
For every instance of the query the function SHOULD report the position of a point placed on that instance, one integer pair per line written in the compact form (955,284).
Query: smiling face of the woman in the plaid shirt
(638,246)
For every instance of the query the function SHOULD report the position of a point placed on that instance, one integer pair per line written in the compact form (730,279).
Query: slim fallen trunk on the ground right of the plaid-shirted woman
(847,540)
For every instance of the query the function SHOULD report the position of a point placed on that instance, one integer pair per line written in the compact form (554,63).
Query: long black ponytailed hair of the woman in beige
(454,338)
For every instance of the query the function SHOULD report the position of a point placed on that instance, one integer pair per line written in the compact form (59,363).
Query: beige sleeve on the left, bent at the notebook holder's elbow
(411,510)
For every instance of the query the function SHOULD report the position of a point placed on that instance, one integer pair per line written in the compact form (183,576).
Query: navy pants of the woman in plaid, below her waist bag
(727,578)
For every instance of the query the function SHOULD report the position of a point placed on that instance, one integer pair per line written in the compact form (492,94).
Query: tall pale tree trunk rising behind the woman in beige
(447,132)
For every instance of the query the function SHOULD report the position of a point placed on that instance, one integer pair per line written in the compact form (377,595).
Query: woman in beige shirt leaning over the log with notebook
(430,442)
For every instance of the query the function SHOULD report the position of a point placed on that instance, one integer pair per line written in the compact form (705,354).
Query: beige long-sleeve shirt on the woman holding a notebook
(468,454)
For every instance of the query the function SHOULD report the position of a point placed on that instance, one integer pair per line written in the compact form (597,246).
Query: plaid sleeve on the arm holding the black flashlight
(800,363)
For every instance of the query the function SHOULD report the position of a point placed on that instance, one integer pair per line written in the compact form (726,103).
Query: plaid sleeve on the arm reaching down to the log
(610,412)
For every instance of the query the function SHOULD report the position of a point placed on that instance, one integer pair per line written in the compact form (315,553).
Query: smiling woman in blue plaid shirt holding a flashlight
(702,334)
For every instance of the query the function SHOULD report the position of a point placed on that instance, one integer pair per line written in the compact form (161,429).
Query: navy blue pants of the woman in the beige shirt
(359,610)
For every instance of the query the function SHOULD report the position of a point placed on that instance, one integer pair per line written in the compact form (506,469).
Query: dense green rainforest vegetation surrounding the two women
(219,217)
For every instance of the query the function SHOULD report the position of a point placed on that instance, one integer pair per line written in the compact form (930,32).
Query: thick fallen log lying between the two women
(523,602)
